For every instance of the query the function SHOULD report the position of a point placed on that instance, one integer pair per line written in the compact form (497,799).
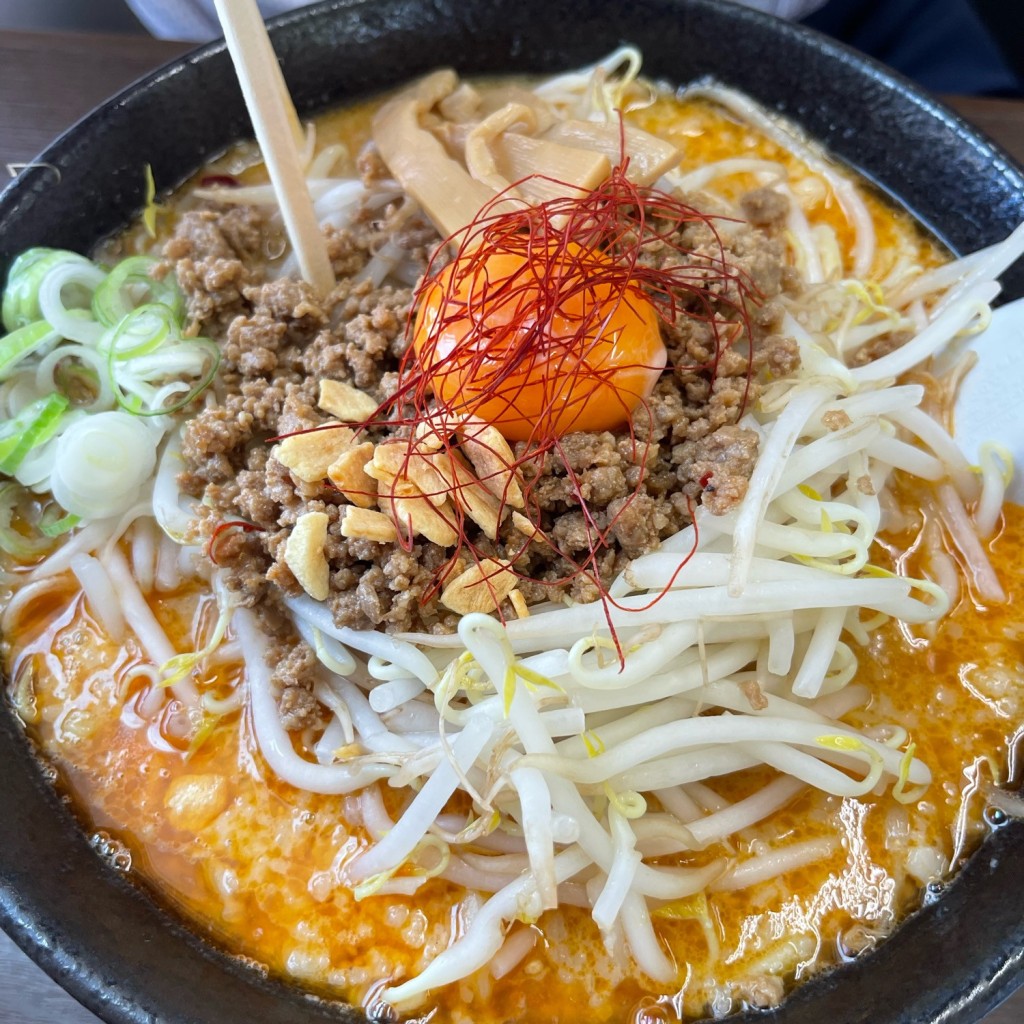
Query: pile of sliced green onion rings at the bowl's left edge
(103,339)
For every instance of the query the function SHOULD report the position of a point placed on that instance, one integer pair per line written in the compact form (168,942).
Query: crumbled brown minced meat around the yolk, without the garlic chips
(639,486)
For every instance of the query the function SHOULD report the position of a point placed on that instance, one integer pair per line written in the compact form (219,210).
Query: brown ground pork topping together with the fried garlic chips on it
(354,520)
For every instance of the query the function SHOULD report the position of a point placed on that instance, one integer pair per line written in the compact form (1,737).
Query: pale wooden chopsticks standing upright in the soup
(277,127)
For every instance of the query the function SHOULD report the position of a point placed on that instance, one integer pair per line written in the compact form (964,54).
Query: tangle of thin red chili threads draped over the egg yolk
(558,240)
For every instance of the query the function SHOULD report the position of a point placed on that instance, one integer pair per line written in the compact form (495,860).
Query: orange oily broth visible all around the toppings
(257,863)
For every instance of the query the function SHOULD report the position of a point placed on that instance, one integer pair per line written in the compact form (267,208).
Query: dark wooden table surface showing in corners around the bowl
(48,81)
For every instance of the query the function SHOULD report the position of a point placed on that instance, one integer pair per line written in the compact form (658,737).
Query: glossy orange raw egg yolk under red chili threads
(539,344)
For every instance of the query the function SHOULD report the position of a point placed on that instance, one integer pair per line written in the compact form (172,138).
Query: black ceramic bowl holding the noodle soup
(108,942)
